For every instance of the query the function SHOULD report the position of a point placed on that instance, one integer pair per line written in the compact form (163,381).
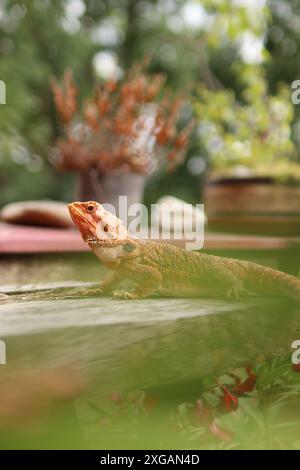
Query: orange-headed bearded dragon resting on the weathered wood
(164,269)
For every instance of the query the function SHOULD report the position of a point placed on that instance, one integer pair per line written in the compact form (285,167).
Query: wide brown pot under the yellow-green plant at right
(252,205)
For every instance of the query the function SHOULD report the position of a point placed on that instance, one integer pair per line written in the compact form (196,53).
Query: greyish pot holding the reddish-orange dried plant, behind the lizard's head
(93,186)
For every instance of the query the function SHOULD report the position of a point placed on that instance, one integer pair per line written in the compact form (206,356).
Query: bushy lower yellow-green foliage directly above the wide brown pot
(249,138)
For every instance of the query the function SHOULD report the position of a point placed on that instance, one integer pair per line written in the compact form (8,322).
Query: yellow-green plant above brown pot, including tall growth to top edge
(246,130)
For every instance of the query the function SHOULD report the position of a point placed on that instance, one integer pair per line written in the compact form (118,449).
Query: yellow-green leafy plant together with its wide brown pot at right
(254,175)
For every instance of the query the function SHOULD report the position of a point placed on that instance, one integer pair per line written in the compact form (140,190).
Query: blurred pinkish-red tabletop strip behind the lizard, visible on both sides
(27,239)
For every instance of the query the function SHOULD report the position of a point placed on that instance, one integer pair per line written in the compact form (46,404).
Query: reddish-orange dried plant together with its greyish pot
(117,138)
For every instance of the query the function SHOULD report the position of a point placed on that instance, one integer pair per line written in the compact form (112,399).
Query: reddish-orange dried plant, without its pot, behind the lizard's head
(118,115)
